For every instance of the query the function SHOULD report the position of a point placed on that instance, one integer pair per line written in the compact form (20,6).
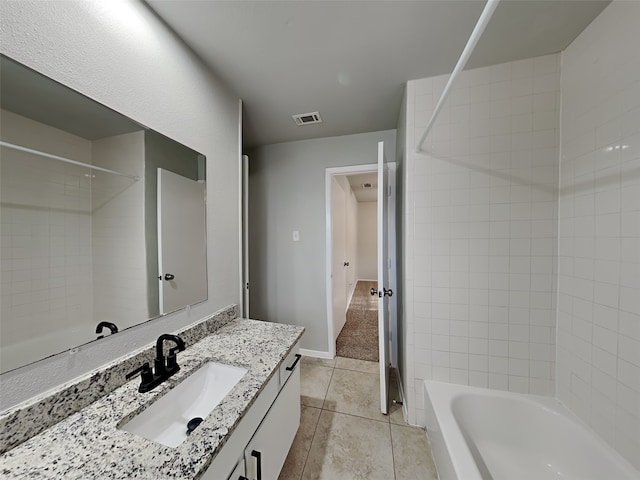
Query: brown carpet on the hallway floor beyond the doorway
(359,336)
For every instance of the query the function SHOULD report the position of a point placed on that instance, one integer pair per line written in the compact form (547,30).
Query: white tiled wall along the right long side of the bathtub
(599,228)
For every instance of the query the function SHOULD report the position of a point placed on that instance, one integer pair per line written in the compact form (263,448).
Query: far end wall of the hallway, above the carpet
(367,241)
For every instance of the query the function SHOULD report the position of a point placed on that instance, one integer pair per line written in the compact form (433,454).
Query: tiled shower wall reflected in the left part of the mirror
(46,243)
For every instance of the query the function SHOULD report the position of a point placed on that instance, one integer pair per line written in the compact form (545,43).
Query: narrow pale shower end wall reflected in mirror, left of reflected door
(118,231)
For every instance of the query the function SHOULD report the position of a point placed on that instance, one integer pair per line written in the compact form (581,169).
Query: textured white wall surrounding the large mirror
(122,55)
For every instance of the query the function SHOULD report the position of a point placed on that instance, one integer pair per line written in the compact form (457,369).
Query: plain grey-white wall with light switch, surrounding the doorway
(287,184)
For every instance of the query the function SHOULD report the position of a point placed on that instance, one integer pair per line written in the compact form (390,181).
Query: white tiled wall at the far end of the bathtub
(481,221)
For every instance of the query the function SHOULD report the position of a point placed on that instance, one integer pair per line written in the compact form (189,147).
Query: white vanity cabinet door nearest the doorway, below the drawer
(268,449)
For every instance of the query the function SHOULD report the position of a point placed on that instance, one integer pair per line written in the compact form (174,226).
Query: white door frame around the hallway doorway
(351,170)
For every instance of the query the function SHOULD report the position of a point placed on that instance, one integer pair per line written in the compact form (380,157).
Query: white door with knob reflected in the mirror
(182,241)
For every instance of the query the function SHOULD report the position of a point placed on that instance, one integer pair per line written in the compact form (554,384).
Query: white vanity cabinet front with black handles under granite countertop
(267,430)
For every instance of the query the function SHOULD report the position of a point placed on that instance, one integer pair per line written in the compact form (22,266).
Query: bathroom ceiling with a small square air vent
(349,60)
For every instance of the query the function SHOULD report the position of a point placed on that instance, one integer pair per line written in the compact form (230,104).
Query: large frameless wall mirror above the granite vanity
(102,221)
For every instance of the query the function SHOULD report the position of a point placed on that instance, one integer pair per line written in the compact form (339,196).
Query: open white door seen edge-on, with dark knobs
(383,277)
